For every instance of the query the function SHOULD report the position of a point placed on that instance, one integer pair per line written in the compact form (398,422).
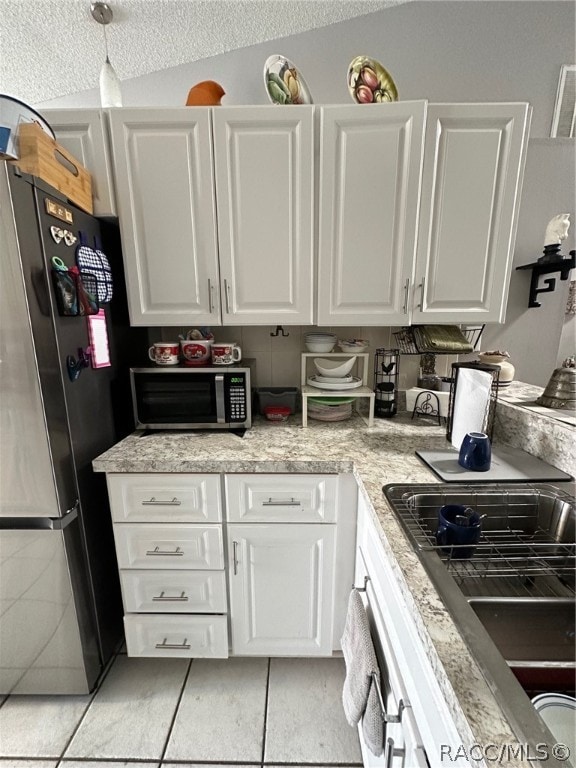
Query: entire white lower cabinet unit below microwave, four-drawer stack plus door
(276,580)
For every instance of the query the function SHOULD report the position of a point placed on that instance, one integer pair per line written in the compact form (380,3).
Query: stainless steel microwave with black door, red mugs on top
(187,397)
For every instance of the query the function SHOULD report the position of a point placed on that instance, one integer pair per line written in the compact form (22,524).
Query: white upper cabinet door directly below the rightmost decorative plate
(370,161)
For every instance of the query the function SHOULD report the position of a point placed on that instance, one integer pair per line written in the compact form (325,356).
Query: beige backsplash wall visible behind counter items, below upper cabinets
(278,361)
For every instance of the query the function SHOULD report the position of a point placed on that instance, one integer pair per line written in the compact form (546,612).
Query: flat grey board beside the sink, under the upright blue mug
(508,465)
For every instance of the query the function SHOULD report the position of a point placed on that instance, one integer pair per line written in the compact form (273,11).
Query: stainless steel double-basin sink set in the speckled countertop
(514,599)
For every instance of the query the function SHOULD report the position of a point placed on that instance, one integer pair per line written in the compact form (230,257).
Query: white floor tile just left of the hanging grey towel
(306,721)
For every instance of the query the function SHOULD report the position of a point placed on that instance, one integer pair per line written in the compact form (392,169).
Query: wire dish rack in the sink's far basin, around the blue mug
(517,555)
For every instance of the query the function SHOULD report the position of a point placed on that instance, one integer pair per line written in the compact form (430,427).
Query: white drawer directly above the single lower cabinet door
(282,498)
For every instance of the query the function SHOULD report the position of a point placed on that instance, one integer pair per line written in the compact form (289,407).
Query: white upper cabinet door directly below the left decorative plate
(264,189)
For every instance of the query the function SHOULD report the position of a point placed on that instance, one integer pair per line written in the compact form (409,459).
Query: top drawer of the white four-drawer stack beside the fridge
(165,498)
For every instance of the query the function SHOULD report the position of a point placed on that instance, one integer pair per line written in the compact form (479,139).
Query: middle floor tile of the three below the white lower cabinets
(221,716)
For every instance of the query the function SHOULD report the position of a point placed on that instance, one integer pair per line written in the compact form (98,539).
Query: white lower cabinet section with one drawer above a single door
(290,544)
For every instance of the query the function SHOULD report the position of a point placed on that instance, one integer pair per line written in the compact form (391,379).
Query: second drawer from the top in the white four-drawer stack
(151,545)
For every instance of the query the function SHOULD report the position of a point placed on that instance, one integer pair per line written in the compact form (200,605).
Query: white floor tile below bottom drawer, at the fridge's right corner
(131,714)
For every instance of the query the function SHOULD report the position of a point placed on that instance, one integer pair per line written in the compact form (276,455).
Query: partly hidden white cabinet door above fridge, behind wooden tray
(84,133)
